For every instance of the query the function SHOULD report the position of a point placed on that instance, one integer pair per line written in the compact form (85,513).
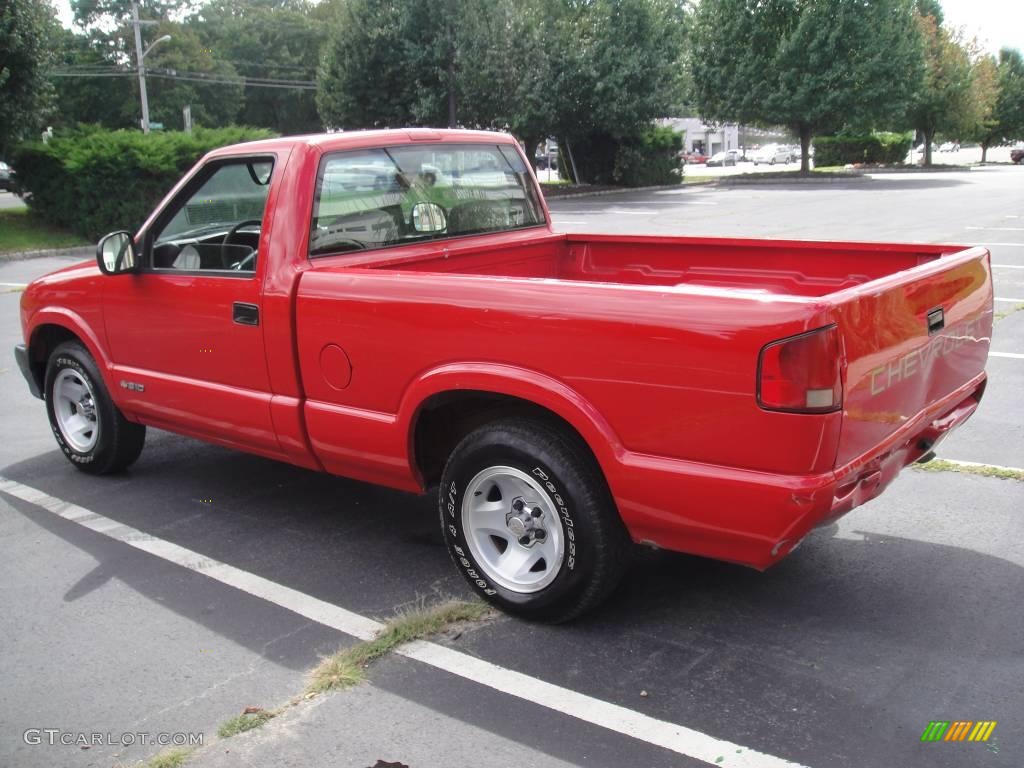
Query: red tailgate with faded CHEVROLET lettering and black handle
(911,339)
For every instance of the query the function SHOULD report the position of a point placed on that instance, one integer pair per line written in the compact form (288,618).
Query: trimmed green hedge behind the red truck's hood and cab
(93,181)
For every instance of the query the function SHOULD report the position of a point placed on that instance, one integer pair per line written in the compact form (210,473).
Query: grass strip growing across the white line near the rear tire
(348,668)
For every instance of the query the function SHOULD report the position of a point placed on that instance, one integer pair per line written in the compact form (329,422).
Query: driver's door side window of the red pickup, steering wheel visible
(217,227)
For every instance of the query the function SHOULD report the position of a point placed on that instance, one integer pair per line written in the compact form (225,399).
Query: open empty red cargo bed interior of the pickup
(779,268)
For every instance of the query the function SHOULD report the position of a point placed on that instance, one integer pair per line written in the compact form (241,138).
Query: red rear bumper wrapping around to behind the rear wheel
(757,519)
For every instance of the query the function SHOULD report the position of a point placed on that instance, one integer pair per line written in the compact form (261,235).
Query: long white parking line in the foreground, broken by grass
(671,737)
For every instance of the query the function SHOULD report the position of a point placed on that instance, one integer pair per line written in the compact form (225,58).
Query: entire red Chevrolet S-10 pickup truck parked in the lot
(394,307)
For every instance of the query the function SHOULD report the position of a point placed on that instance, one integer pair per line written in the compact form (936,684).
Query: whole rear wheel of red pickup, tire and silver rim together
(530,523)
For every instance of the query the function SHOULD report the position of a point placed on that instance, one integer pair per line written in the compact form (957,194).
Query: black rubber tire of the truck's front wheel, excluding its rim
(74,357)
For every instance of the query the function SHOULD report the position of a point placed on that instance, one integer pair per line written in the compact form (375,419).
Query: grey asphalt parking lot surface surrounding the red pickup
(906,612)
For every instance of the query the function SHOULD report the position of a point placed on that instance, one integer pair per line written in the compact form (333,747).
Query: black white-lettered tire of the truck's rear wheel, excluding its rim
(561,483)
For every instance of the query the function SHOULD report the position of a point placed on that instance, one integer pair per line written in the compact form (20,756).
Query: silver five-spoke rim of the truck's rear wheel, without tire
(514,530)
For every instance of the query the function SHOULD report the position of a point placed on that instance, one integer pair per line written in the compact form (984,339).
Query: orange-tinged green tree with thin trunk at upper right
(945,101)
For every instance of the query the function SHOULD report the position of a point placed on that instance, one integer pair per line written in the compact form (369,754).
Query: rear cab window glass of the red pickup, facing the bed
(389,197)
